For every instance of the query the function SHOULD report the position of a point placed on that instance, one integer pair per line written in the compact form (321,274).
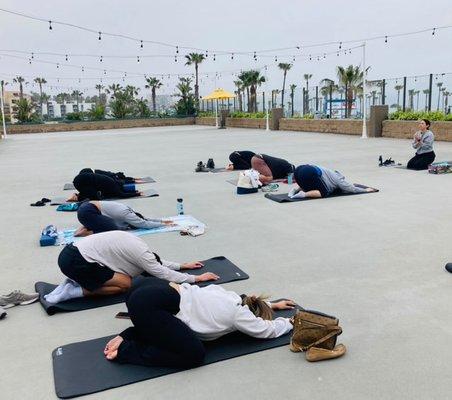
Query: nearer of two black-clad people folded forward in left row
(98,187)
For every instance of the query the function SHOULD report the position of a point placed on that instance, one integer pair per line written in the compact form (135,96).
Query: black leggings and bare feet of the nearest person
(157,338)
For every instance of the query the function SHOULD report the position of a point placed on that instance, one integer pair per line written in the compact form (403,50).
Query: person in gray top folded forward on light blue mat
(104,216)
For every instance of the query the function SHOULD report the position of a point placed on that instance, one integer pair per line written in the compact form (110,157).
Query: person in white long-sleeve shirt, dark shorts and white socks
(105,263)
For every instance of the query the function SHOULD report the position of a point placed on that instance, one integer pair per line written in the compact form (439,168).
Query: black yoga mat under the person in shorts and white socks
(225,269)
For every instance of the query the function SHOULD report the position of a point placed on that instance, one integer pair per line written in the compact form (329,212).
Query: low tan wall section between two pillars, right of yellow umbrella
(344,126)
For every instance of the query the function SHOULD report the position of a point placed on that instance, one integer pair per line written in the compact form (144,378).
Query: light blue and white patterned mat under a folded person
(66,236)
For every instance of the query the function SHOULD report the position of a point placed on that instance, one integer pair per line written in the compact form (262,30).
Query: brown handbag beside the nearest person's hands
(314,329)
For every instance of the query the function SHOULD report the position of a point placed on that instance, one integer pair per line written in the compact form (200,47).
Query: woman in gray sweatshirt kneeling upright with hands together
(423,143)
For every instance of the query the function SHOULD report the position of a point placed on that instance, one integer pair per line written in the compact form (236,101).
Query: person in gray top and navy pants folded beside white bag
(316,182)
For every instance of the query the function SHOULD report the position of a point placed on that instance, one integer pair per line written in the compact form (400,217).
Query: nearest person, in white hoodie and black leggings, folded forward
(171,321)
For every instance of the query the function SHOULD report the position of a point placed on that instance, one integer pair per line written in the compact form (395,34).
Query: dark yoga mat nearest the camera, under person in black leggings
(81,368)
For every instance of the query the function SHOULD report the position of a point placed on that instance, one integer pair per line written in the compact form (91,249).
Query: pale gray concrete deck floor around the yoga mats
(375,261)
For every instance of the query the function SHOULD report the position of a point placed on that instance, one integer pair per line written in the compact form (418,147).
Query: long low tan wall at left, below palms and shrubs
(96,125)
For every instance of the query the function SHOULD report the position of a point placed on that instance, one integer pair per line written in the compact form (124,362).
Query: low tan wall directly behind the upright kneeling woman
(406,129)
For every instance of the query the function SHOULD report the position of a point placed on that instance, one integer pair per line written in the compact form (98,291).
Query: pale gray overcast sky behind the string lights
(231,25)
